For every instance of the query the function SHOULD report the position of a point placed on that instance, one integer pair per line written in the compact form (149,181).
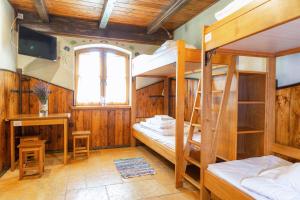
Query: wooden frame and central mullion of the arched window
(103,74)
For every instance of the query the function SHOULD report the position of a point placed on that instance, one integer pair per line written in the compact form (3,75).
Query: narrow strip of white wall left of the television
(7,51)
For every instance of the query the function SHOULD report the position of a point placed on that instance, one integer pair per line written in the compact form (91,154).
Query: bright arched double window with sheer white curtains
(101,76)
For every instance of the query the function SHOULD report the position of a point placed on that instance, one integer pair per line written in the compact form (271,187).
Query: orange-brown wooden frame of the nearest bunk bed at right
(220,35)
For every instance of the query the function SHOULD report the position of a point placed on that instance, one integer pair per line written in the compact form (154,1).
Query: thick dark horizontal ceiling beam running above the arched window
(83,28)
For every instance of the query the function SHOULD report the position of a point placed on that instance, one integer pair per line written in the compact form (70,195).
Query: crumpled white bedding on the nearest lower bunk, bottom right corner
(281,183)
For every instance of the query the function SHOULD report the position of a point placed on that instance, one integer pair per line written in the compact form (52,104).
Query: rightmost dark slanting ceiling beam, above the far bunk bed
(165,15)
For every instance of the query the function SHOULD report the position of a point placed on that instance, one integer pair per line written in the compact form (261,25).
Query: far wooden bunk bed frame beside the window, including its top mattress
(168,65)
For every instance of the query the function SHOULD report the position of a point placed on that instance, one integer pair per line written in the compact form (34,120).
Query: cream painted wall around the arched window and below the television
(61,72)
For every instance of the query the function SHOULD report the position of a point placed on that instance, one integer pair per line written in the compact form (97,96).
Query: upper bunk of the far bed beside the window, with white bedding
(163,63)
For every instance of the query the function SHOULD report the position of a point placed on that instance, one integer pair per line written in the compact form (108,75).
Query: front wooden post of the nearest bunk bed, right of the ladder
(206,115)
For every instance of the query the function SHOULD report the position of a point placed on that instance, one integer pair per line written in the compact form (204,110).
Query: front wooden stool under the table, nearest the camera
(37,164)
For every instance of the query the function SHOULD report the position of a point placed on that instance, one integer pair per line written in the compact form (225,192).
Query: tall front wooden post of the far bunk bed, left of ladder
(180,93)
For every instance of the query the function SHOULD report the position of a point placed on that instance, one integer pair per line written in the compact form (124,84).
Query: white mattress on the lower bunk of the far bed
(167,141)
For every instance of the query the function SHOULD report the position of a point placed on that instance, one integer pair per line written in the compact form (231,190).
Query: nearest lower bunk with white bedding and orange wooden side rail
(262,178)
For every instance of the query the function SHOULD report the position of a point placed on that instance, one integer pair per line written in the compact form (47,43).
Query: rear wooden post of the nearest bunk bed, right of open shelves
(270,133)
